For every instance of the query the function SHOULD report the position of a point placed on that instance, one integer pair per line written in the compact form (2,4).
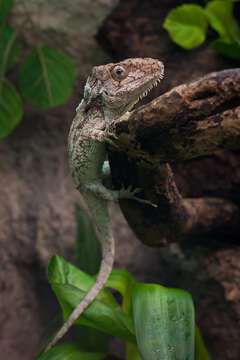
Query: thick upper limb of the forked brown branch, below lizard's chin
(191,120)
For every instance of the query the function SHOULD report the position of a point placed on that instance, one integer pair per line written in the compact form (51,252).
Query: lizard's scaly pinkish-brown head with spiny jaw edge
(121,85)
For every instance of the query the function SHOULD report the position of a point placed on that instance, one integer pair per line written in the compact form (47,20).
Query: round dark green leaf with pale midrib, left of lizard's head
(47,77)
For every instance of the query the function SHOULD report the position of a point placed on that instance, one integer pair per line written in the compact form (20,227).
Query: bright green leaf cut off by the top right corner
(220,17)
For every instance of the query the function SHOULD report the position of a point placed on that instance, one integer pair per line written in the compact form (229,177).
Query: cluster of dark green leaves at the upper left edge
(46,74)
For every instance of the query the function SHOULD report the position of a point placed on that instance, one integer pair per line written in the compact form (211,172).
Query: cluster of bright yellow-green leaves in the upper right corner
(187,26)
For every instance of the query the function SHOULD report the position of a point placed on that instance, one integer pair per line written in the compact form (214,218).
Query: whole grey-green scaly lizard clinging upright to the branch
(111,90)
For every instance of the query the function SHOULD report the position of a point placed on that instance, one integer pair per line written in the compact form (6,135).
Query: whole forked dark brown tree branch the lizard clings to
(189,121)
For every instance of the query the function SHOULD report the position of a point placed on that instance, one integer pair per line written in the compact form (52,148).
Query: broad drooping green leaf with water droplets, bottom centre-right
(164,322)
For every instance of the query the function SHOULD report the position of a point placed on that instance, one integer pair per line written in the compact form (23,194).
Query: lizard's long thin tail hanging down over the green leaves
(100,214)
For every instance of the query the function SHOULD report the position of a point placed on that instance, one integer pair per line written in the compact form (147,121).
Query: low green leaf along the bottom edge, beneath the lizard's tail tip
(70,351)
